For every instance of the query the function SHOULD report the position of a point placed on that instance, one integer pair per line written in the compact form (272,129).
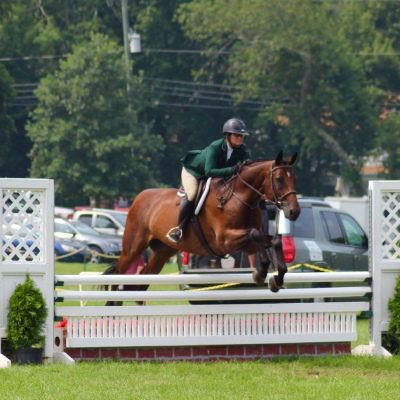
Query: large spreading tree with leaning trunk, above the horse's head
(301,59)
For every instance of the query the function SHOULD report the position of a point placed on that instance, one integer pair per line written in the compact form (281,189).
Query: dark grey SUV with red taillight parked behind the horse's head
(322,236)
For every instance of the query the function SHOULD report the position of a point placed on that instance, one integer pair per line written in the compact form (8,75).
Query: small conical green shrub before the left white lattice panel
(26,315)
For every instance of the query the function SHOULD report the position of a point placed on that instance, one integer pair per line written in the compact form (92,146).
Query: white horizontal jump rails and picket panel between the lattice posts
(212,324)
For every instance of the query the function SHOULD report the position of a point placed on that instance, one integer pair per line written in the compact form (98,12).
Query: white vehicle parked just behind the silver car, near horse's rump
(103,220)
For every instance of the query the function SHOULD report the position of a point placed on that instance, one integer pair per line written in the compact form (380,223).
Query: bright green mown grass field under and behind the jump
(343,377)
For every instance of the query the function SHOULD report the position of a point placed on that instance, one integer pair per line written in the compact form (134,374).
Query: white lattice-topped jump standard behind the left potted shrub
(26,244)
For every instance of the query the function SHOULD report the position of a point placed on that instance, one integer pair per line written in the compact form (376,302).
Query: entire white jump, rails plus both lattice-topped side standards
(27,203)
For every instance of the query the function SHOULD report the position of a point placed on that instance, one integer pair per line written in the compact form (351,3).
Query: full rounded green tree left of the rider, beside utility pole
(85,130)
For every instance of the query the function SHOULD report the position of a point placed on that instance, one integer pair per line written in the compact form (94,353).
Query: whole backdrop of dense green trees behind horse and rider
(316,66)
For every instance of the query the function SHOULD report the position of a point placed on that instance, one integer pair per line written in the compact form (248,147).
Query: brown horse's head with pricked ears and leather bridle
(282,186)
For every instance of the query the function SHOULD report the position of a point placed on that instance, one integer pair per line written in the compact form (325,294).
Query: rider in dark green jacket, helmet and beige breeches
(219,159)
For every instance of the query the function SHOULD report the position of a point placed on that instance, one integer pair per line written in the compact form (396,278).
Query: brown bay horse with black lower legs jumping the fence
(230,219)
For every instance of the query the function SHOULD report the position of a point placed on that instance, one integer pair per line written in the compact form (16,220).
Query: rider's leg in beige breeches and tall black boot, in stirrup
(190,185)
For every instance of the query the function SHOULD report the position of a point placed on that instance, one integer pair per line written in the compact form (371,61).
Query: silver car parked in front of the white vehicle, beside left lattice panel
(107,245)
